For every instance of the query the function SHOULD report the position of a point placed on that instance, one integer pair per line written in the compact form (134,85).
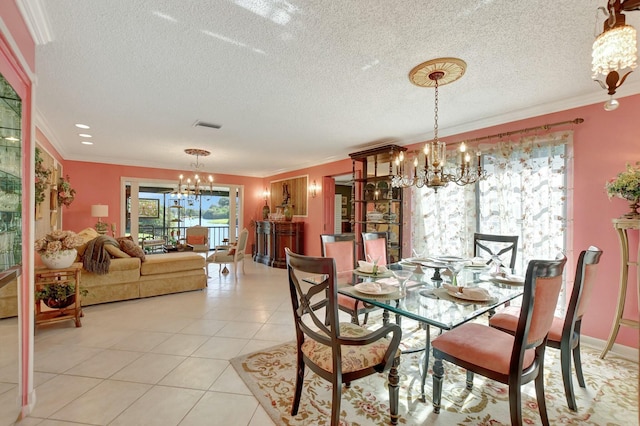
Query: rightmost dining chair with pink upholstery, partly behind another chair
(565,330)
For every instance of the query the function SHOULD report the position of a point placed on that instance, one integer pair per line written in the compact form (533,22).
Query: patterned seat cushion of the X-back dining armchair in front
(353,358)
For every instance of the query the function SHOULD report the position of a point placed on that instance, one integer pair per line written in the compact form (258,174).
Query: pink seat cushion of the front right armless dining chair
(480,345)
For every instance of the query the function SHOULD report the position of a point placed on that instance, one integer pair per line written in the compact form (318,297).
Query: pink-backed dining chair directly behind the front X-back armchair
(342,247)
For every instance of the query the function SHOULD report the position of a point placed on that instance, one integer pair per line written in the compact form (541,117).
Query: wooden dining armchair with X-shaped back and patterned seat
(338,352)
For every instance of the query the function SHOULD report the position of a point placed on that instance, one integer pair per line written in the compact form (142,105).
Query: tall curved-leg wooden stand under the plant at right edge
(622,227)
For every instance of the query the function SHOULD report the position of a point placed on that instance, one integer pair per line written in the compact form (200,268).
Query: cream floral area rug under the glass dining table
(610,398)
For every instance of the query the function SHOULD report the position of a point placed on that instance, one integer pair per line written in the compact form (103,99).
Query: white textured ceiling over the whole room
(300,82)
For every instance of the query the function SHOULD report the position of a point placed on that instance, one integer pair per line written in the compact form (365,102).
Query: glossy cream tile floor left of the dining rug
(162,360)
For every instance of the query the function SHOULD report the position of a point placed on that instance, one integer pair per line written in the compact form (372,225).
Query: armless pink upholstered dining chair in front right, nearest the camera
(510,359)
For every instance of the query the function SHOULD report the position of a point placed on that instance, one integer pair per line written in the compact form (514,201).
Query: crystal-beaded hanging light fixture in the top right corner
(615,50)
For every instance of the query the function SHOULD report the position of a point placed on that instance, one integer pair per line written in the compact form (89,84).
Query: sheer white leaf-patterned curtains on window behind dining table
(526,193)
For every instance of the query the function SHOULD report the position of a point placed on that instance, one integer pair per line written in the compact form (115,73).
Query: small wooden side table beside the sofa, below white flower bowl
(44,277)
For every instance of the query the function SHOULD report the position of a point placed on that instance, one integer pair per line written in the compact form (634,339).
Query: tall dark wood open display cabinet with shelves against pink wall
(375,205)
